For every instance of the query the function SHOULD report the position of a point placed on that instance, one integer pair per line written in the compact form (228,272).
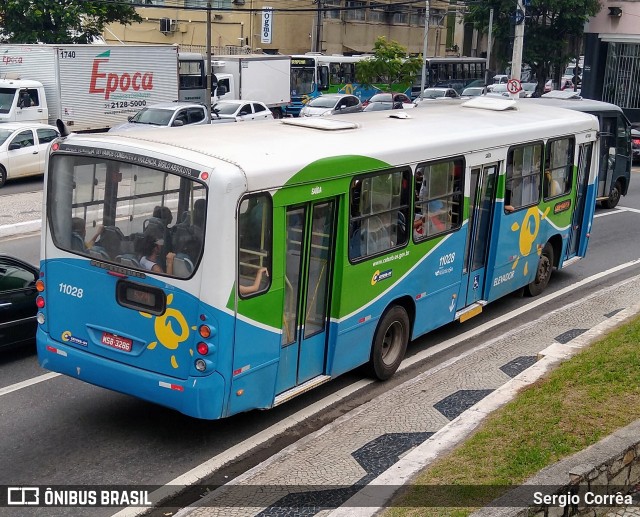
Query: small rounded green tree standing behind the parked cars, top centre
(389,66)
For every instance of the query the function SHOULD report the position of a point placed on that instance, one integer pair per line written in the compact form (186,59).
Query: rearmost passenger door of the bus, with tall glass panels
(308,272)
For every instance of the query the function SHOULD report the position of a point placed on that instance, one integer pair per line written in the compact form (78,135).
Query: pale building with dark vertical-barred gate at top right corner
(612,56)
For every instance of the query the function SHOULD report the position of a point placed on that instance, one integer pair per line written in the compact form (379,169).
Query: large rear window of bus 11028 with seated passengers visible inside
(127,214)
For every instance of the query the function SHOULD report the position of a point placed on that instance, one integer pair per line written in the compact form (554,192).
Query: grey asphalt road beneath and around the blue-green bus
(62,431)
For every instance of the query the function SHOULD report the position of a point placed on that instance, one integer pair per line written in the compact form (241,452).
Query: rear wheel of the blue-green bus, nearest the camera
(389,343)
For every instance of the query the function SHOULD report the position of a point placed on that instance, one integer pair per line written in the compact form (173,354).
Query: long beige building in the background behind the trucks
(285,27)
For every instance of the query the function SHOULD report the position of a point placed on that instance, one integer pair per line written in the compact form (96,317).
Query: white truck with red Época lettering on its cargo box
(88,87)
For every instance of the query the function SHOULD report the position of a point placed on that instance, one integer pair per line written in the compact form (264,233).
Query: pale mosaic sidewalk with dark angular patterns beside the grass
(323,470)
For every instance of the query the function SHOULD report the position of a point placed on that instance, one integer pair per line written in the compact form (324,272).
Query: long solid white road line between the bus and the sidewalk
(211,465)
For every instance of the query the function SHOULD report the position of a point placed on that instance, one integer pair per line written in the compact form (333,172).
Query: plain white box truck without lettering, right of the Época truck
(253,77)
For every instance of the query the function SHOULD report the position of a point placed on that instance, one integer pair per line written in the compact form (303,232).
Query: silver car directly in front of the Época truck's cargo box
(165,114)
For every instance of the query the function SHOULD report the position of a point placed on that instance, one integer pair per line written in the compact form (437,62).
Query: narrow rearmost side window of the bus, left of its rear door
(254,240)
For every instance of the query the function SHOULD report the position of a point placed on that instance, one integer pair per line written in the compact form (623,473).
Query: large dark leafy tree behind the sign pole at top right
(552,35)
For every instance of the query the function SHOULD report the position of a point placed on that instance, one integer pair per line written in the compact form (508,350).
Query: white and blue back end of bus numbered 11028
(119,303)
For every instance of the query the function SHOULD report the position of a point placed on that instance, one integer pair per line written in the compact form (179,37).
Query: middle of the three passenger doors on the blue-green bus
(481,203)
